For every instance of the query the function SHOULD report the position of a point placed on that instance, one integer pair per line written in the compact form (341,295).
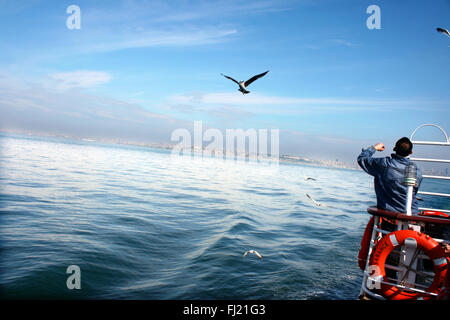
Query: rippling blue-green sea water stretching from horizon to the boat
(141,223)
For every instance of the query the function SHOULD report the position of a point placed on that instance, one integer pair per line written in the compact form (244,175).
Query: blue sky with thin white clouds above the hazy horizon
(138,70)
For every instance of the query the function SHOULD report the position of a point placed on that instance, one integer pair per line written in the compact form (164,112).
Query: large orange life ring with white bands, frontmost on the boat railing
(424,242)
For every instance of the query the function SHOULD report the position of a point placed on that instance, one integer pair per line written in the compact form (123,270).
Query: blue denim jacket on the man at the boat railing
(389,174)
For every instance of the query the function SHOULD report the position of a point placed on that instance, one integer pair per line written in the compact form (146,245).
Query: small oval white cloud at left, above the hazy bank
(80,79)
